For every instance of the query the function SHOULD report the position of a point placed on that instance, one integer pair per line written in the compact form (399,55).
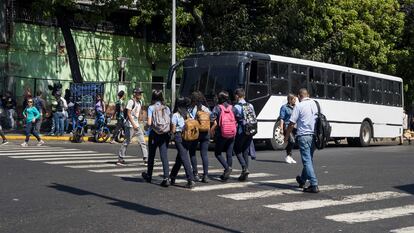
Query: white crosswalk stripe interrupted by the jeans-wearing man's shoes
(278,192)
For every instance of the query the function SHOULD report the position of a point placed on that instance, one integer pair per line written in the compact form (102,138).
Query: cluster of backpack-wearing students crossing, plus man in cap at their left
(232,127)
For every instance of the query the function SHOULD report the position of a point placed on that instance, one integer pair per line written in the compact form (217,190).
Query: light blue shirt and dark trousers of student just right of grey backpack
(182,149)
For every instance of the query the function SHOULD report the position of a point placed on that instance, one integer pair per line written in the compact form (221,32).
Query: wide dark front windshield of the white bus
(209,80)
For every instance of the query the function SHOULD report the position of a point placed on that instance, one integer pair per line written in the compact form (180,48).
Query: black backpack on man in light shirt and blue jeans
(322,129)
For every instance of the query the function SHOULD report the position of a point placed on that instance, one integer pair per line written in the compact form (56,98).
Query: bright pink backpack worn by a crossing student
(227,122)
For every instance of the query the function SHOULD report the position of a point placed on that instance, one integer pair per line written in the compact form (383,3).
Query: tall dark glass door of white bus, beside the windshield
(258,84)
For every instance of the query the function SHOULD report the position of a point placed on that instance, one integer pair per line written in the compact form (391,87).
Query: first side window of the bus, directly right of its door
(278,79)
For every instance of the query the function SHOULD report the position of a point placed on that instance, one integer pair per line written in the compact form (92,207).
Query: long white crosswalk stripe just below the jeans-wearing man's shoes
(352,199)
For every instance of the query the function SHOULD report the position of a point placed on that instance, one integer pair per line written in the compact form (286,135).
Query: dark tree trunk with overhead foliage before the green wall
(65,11)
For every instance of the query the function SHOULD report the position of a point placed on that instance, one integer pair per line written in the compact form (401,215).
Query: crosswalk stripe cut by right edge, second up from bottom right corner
(373,215)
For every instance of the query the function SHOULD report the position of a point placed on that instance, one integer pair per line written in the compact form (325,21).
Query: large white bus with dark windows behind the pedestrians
(360,105)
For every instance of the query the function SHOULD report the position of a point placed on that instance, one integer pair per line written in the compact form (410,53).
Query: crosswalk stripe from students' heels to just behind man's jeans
(241,185)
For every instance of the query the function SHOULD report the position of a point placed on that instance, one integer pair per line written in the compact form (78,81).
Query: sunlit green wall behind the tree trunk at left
(35,59)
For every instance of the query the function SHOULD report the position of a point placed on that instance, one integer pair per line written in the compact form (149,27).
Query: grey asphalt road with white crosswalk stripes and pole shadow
(65,187)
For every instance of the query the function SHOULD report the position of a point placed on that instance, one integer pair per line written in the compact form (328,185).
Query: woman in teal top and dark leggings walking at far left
(31,114)
